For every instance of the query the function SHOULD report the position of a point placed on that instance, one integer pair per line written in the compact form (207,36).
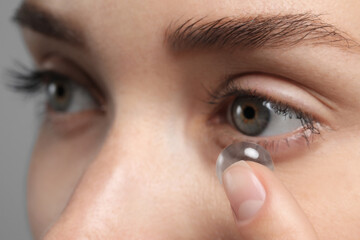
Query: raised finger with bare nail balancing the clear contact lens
(262,207)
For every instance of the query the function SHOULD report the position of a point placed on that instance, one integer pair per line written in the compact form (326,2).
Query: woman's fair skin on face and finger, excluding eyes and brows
(145,169)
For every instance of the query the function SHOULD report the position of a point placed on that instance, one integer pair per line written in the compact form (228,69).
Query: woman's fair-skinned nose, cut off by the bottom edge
(138,186)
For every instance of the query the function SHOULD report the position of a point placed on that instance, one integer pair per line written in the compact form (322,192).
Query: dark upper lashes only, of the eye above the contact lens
(280,108)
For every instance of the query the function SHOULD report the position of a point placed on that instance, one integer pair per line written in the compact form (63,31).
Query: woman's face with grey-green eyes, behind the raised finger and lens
(133,125)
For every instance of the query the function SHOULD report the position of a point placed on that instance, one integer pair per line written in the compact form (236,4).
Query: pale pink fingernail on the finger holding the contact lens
(244,190)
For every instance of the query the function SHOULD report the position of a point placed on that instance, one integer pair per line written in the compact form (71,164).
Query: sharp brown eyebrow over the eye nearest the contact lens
(277,31)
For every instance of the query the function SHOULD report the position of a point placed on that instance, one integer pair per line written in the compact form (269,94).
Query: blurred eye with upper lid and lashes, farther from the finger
(61,86)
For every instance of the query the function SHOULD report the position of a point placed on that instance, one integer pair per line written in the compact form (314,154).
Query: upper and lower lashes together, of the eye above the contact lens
(231,90)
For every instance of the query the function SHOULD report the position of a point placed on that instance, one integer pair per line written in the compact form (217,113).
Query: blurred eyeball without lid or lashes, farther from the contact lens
(67,97)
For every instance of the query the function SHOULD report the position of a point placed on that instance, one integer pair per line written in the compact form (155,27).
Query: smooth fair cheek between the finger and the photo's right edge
(325,182)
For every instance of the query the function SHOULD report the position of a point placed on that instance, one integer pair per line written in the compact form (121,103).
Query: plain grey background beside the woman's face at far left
(17,132)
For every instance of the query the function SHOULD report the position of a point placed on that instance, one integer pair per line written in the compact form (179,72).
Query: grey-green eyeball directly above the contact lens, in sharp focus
(254,116)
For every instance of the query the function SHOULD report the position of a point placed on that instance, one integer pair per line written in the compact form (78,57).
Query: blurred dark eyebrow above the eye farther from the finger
(49,24)
